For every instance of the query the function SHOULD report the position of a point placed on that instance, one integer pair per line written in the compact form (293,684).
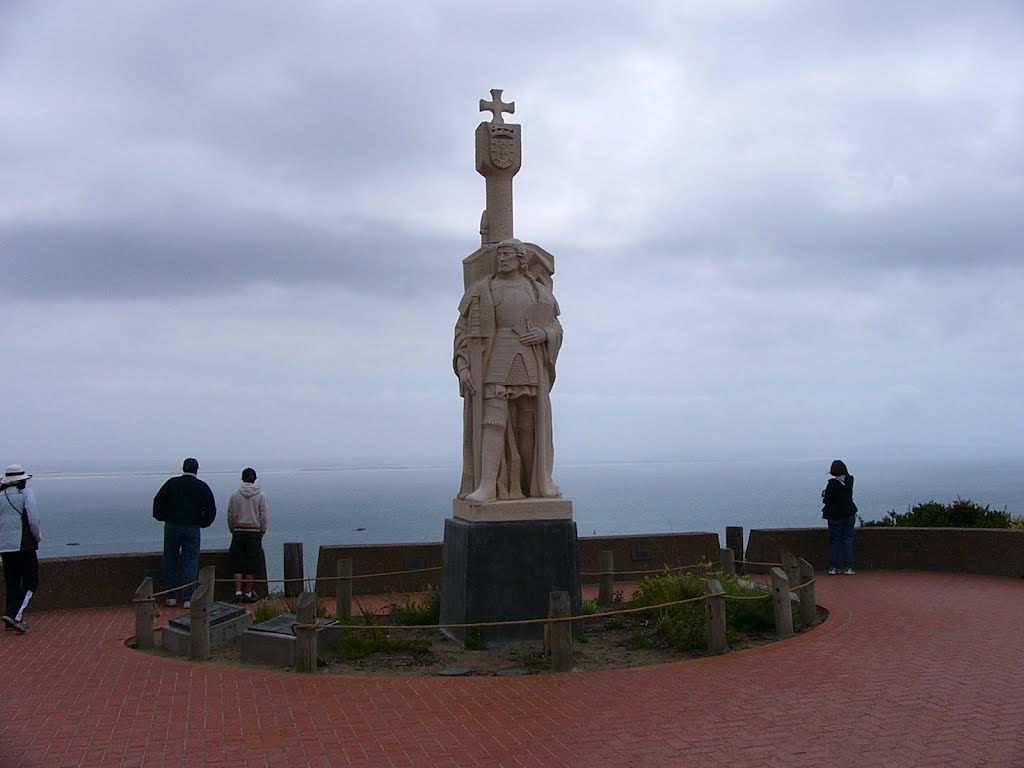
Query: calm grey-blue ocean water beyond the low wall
(98,513)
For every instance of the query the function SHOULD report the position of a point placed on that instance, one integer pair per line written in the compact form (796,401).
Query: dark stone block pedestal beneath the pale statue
(501,572)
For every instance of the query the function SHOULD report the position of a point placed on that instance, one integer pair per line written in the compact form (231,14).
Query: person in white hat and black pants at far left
(19,541)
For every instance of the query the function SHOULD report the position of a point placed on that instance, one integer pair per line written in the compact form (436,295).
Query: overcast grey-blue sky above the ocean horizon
(781,229)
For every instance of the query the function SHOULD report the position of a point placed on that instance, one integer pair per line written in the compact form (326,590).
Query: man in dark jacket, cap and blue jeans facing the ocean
(185,504)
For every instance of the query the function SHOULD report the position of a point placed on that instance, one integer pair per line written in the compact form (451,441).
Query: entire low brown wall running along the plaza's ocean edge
(69,583)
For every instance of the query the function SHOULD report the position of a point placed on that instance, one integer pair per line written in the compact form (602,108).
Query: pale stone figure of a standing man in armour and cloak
(506,344)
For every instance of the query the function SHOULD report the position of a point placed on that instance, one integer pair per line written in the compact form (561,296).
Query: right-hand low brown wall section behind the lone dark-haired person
(988,551)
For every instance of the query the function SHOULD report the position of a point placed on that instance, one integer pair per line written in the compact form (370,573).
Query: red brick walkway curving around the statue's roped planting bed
(912,670)
